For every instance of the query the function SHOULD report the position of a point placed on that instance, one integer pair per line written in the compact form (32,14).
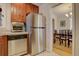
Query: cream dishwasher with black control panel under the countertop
(17,45)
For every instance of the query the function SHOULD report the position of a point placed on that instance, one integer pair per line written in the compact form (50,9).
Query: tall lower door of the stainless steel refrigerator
(37,41)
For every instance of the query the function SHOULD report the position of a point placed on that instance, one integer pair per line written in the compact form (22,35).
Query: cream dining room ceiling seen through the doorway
(63,8)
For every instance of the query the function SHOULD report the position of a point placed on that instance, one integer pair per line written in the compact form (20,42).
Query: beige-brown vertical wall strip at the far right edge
(76,29)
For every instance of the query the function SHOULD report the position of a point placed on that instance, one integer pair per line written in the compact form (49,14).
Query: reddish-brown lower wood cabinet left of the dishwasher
(3,46)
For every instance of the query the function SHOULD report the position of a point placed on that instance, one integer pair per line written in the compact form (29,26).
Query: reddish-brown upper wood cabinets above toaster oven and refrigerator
(19,11)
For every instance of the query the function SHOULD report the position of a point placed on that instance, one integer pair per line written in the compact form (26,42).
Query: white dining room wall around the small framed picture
(58,19)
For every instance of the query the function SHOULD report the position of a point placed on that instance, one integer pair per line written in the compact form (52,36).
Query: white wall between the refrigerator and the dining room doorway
(46,11)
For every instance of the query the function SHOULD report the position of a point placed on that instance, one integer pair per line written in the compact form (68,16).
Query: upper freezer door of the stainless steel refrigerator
(38,21)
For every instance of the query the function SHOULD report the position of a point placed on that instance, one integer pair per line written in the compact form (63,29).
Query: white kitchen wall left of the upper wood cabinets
(6,20)
